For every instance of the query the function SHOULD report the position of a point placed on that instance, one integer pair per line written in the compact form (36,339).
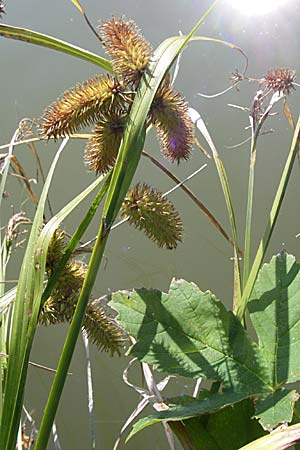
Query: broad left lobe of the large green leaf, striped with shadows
(190,333)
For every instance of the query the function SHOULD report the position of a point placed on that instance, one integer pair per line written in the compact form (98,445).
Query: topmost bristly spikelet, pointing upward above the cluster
(128,49)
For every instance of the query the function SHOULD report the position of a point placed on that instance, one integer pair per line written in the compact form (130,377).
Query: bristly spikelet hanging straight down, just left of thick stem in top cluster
(102,148)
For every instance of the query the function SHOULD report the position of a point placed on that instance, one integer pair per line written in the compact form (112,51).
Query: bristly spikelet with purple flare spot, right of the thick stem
(169,114)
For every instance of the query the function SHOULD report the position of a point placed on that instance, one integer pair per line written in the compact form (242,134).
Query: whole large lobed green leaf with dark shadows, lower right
(189,332)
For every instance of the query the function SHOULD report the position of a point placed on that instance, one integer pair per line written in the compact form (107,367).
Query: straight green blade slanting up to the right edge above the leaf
(263,245)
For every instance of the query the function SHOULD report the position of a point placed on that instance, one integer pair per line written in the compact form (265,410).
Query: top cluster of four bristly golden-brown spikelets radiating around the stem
(106,101)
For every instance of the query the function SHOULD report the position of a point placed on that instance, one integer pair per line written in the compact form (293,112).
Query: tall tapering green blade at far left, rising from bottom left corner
(14,386)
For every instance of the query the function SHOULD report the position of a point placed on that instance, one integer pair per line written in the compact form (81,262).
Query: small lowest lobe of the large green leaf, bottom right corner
(275,408)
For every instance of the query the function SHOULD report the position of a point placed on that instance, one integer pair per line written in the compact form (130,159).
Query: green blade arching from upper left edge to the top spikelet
(33,37)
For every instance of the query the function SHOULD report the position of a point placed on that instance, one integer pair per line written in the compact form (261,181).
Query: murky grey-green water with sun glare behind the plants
(32,77)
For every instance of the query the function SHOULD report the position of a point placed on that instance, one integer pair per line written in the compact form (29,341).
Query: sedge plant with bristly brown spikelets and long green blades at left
(134,95)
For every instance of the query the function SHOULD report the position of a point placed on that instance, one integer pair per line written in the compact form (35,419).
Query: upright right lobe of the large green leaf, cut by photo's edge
(275,313)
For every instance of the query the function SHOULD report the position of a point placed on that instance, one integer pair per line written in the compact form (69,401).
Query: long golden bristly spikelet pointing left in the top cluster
(82,106)
